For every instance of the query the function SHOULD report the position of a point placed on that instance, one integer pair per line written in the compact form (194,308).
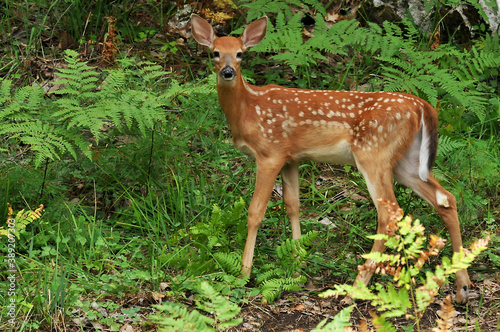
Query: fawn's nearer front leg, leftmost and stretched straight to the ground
(267,171)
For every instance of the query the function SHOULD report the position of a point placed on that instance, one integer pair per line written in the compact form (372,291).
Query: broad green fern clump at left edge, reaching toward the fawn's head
(89,107)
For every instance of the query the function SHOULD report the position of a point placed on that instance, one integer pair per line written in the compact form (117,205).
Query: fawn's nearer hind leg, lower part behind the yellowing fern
(379,182)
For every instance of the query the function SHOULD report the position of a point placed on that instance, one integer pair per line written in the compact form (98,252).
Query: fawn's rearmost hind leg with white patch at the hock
(446,206)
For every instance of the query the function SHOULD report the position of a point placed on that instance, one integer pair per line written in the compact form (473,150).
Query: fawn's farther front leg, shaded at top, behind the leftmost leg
(290,175)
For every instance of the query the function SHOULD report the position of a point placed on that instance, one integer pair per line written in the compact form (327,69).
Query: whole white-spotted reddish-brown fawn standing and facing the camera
(385,134)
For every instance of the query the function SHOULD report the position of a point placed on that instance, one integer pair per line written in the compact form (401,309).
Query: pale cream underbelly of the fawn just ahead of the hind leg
(339,153)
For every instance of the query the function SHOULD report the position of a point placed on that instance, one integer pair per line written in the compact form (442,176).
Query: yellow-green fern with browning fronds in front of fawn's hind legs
(403,297)
